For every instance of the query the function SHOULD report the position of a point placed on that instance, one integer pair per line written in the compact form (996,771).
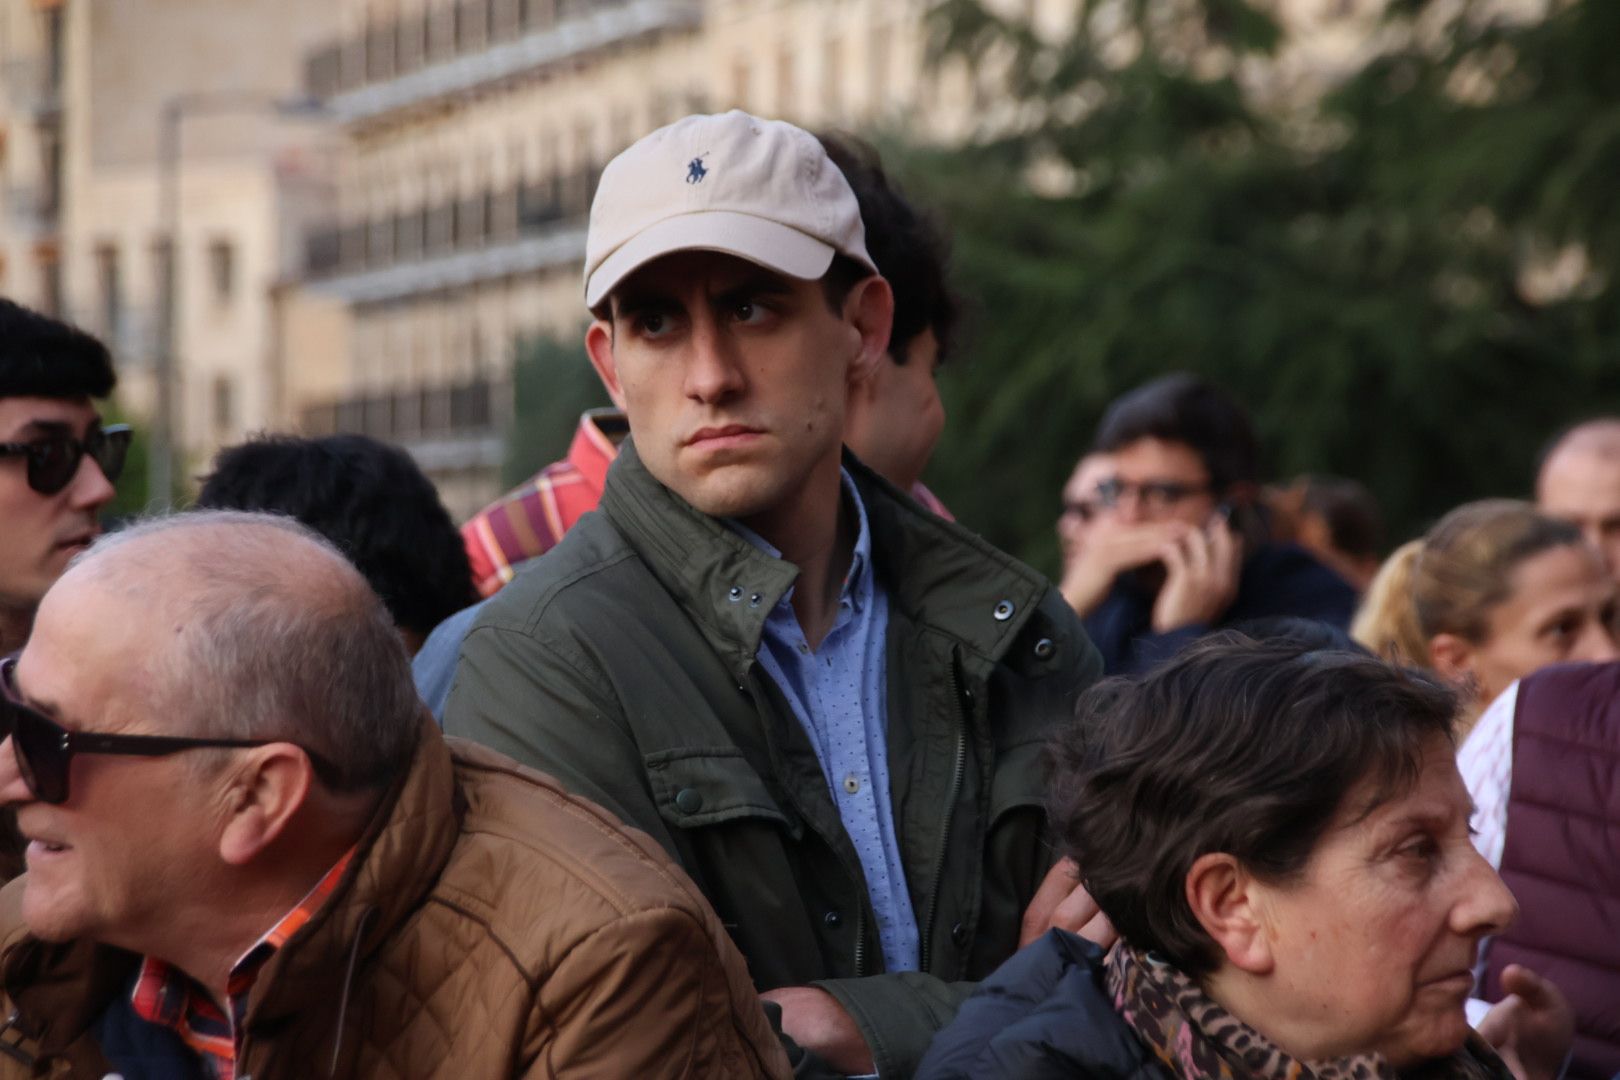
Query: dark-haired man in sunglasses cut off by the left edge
(51,376)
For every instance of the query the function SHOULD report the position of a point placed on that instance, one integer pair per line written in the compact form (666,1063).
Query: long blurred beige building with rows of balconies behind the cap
(477,134)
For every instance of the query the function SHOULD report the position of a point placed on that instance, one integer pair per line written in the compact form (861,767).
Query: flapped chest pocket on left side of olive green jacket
(697,788)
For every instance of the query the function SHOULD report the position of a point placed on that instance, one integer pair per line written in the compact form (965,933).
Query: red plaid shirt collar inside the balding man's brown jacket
(168,997)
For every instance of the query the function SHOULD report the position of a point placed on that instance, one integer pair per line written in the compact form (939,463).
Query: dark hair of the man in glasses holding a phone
(1193,412)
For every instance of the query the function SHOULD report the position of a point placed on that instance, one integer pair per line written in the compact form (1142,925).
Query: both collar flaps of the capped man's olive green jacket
(937,574)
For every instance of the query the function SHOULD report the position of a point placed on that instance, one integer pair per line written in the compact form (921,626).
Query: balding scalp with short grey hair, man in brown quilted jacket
(250,626)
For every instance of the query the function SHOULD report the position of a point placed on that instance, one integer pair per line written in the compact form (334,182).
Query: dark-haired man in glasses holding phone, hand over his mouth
(1180,546)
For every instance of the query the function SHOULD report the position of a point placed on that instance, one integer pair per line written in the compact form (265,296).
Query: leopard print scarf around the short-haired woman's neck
(1198,1040)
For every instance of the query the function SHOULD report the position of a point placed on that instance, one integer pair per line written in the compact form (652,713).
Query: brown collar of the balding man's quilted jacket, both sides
(62,990)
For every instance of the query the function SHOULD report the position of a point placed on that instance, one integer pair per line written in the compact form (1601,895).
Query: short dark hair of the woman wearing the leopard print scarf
(1238,747)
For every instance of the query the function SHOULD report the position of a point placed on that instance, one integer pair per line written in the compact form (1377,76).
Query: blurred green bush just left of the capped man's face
(552,385)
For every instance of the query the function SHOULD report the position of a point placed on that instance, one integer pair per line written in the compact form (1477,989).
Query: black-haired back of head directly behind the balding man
(367,498)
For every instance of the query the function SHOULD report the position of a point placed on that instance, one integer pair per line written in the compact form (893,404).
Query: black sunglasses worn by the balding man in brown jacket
(45,749)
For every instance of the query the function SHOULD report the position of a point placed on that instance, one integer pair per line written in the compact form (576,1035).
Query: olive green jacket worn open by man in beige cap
(625,665)
